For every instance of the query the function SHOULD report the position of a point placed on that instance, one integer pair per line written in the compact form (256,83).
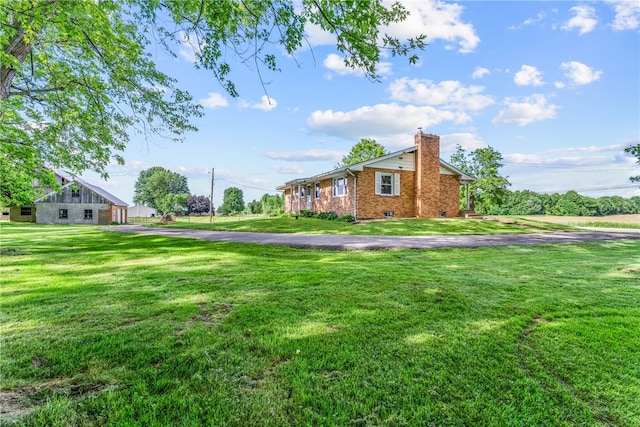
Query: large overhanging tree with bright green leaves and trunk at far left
(76,78)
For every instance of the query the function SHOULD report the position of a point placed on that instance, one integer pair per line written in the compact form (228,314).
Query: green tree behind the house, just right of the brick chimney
(490,189)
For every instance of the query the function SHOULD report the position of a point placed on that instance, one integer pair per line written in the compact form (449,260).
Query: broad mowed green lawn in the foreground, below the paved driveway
(104,328)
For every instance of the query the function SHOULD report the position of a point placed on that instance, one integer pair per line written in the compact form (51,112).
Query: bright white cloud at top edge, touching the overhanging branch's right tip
(439,20)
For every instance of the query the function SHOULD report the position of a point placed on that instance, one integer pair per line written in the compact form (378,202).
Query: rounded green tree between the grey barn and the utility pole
(158,187)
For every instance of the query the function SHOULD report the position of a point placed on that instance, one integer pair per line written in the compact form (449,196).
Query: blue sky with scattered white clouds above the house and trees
(552,85)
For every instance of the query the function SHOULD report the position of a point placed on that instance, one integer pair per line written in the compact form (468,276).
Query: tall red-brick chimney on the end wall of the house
(427,175)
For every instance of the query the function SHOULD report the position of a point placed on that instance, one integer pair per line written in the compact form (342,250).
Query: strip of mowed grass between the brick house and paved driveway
(395,227)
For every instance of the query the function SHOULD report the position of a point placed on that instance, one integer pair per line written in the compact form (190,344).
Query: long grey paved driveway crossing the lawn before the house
(347,242)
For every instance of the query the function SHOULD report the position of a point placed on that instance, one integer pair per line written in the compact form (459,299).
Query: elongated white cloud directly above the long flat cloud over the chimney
(448,94)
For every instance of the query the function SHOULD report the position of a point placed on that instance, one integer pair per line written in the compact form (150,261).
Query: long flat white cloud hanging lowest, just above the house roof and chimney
(381,120)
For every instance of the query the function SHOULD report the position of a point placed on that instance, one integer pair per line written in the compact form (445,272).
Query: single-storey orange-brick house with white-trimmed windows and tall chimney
(410,183)
